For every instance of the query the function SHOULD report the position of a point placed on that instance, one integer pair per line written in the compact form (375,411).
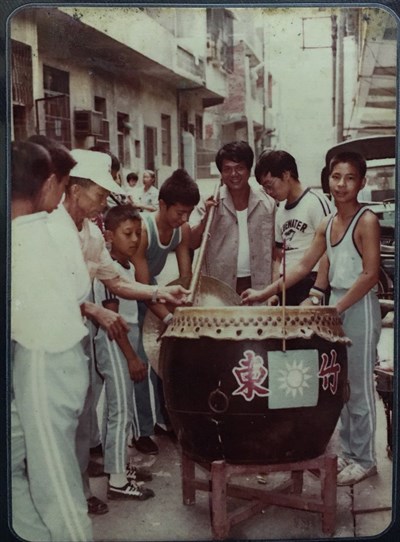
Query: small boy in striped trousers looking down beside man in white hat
(123,228)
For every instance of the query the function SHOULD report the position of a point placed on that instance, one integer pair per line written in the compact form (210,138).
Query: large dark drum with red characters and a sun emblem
(255,385)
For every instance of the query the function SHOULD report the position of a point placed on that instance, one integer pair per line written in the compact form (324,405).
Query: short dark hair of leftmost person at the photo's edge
(31,166)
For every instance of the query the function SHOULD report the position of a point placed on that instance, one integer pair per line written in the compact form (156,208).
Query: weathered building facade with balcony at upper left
(134,80)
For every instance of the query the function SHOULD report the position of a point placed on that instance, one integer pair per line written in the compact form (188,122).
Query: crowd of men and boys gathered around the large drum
(86,252)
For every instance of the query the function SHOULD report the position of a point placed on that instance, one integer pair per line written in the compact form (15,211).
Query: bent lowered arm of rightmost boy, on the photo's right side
(367,239)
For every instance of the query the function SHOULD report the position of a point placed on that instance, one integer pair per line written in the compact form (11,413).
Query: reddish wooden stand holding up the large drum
(219,488)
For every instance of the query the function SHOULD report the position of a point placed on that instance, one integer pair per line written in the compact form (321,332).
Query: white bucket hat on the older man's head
(95,166)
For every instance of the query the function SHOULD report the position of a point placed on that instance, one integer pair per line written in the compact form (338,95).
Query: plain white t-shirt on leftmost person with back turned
(45,312)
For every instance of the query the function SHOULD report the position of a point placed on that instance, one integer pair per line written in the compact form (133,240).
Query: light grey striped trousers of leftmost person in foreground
(49,394)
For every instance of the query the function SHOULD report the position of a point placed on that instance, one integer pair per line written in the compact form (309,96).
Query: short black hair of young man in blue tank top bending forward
(179,188)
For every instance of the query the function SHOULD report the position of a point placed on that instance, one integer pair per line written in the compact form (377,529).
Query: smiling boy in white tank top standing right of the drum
(351,238)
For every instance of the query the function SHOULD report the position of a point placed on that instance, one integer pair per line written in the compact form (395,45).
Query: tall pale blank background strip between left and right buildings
(302,94)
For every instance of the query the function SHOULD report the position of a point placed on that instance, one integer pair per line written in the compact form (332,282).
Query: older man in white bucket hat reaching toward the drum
(86,196)
